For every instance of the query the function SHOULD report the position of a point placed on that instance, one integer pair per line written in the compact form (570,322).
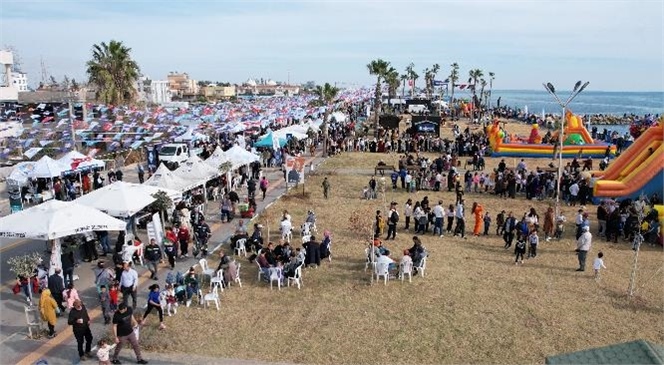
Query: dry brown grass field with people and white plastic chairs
(473,306)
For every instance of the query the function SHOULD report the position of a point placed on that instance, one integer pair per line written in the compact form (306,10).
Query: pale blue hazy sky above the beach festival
(616,45)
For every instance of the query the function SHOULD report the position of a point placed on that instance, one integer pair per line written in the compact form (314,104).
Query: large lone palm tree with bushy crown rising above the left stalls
(113,72)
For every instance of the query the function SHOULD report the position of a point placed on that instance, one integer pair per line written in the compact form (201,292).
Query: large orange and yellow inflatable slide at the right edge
(640,169)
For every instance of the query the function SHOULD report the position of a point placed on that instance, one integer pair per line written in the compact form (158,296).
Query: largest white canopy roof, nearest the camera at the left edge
(55,219)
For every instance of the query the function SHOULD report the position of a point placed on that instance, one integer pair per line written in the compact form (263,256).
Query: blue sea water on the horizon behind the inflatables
(588,102)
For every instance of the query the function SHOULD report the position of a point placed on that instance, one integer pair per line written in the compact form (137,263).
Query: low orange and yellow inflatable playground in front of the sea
(577,142)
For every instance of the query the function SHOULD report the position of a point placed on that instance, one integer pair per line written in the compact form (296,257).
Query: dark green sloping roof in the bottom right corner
(635,352)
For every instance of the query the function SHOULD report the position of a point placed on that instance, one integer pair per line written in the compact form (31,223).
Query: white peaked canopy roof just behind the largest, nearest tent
(122,199)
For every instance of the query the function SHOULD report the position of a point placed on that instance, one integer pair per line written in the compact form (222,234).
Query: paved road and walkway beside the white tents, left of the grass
(14,346)
